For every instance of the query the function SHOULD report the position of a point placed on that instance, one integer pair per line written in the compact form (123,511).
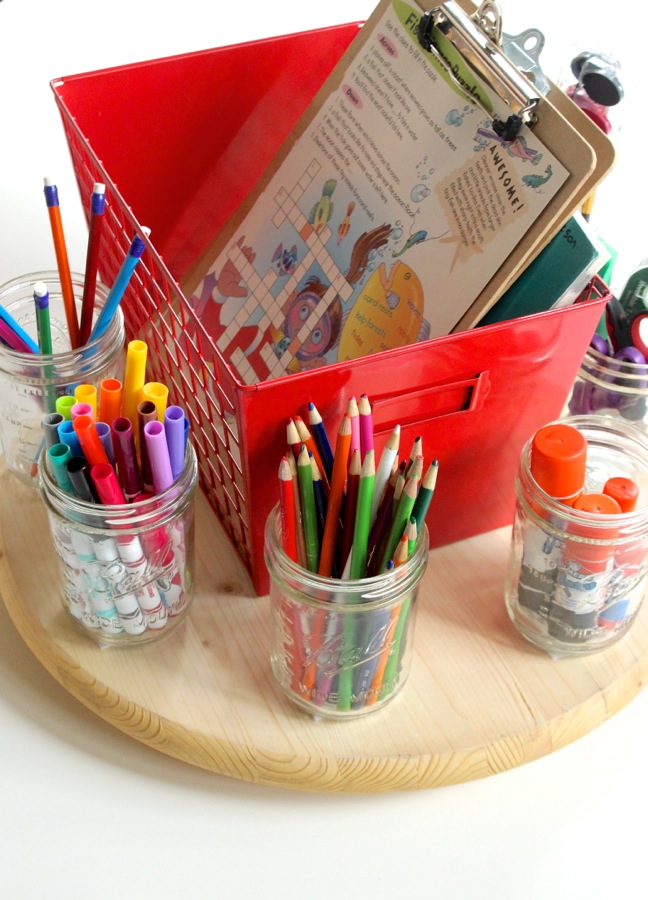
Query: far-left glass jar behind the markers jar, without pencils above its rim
(39,362)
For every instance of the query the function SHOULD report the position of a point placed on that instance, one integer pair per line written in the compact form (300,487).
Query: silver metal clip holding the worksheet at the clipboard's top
(478,39)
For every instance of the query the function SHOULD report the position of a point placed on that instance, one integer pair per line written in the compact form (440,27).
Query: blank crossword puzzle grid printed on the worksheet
(260,288)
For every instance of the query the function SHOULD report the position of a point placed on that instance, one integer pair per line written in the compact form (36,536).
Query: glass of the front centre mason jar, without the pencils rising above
(341,648)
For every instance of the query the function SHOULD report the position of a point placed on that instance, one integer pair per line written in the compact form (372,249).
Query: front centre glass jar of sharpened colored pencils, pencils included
(346,549)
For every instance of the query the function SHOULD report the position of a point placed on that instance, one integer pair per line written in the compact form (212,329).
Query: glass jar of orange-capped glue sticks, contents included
(579,554)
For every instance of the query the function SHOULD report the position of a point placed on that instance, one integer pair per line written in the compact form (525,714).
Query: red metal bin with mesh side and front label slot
(179,142)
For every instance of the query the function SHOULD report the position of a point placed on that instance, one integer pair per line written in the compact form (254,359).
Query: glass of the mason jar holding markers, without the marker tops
(126,571)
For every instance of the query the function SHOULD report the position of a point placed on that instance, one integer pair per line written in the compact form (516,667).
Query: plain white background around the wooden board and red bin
(88,813)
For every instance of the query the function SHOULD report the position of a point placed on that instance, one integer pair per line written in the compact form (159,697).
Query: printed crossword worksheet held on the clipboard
(385,219)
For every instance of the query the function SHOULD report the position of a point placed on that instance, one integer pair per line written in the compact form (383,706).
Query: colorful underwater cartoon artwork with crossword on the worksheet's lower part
(327,292)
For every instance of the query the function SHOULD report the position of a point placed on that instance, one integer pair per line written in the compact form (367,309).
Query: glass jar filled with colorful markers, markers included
(118,485)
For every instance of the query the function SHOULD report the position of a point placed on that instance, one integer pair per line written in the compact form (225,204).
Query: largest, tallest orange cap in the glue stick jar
(558,458)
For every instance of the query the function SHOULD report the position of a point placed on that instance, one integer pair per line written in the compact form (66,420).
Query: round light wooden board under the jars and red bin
(480,699)
